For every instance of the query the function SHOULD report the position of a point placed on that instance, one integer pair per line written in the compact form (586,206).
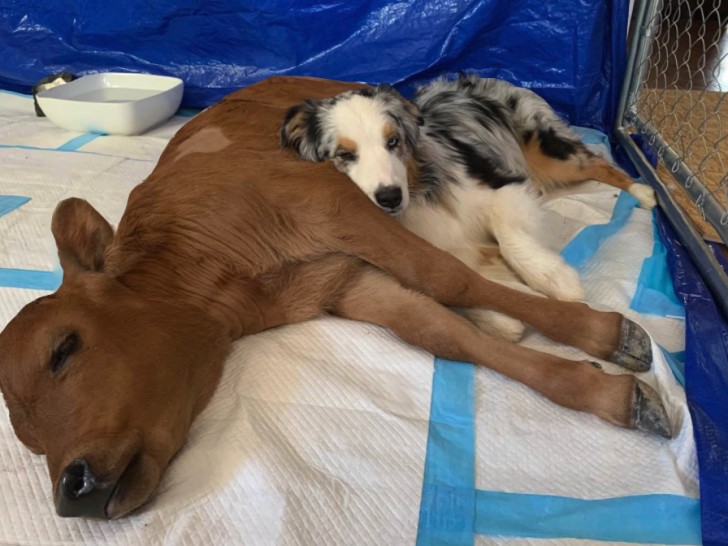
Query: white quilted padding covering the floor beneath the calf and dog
(318,432)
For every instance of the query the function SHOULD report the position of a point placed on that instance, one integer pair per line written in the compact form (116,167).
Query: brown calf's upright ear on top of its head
(82,236)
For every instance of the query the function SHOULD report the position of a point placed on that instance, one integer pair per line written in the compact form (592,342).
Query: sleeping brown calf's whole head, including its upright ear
(101,380)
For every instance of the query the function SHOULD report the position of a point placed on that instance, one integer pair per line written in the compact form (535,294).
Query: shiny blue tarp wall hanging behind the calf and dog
(571,51)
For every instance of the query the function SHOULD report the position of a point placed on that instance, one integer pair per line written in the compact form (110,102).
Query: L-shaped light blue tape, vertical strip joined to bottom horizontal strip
(452,511)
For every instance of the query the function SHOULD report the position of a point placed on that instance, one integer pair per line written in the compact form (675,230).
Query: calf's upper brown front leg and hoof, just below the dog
(358,228)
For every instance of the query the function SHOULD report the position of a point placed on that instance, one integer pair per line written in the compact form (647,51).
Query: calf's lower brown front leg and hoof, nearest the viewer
(623,400)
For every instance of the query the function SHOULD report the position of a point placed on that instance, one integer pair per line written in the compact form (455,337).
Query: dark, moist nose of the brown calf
(80,493)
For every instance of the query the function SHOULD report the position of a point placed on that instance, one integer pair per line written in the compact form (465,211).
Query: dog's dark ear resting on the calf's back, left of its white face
(302,132)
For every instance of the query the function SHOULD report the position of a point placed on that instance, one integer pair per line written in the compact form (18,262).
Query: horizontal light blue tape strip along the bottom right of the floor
(646,519)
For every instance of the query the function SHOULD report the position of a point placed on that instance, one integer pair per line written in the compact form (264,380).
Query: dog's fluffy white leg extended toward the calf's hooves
(514,215)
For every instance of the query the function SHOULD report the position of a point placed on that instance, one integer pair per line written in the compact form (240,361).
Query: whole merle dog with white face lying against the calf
(469,158)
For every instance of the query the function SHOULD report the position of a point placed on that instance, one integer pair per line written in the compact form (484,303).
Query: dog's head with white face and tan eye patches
(370,135)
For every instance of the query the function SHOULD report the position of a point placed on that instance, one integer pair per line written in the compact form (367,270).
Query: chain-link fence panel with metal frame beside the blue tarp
(675,98)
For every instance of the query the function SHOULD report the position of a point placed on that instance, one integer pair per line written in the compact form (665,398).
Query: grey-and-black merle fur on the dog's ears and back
(475,123)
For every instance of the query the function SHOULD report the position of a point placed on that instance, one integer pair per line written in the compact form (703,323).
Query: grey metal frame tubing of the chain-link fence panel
(629,118)
